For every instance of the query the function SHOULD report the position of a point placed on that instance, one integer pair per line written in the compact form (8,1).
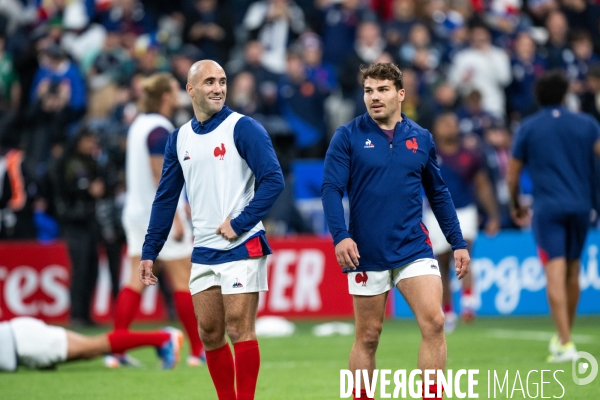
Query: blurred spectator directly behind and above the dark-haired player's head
(368,46)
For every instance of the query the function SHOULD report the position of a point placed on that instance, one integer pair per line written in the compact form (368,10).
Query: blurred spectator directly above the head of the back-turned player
(555,50)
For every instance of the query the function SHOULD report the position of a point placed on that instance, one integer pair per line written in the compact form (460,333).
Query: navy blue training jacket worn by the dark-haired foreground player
(383,181)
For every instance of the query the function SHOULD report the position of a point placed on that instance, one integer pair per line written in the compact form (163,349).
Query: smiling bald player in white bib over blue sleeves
(220,155)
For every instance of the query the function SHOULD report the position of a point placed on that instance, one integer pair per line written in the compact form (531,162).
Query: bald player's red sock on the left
(220,366)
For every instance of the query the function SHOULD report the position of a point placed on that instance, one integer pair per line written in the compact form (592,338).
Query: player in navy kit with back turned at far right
(557,147)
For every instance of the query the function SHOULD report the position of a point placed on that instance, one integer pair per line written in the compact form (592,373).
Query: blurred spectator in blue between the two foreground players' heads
(301,103)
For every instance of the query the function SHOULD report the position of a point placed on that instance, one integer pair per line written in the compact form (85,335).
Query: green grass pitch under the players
(307,367)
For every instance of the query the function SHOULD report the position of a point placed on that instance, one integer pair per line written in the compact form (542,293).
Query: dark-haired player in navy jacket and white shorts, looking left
(382,158)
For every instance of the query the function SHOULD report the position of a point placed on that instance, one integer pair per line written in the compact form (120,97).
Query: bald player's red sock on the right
(247,364)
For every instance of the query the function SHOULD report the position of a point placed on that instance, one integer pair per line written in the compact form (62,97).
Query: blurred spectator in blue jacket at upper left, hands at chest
(58,96)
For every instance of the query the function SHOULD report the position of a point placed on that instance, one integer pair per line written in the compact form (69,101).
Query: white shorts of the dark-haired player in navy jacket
(371,283)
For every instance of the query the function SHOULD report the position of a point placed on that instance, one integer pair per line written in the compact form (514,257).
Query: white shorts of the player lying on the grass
(39,345)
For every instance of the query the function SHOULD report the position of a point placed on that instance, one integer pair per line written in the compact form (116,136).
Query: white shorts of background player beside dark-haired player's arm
(468,220)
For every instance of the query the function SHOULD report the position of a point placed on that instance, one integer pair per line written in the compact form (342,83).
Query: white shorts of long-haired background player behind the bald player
(172,250)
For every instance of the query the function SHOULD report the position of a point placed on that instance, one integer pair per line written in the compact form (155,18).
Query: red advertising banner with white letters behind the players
(304,282)
